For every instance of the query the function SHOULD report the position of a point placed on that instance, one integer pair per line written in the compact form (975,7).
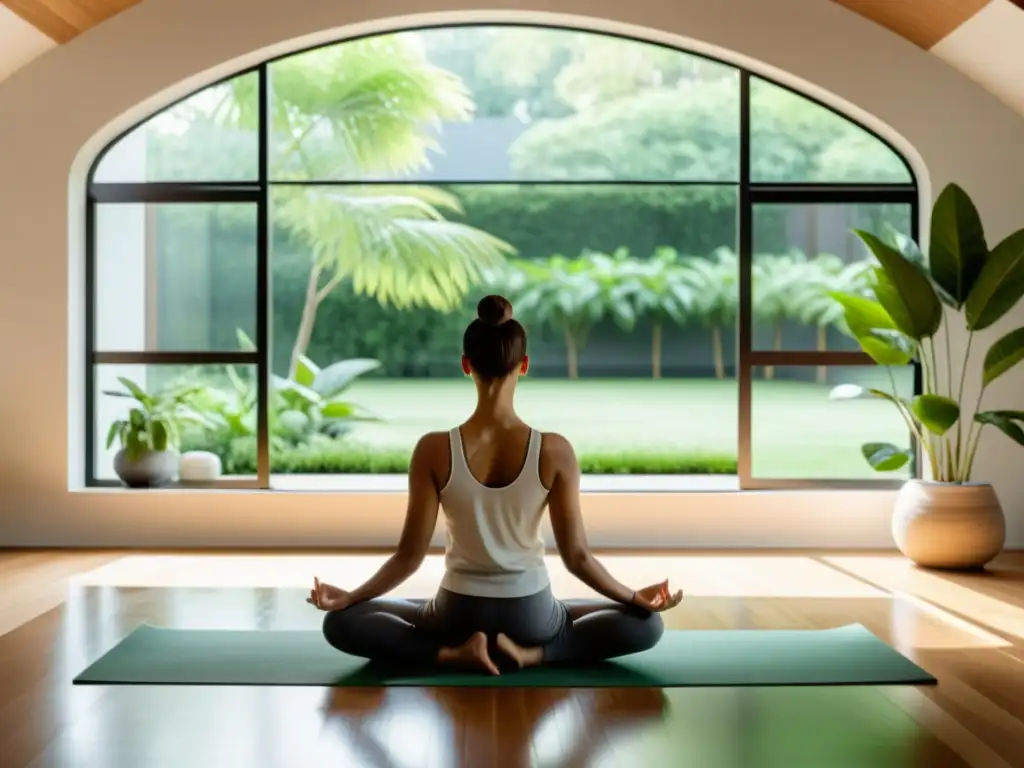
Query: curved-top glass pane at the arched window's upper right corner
(796,140)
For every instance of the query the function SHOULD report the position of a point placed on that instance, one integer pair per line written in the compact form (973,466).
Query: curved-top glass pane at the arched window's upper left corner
(210,137)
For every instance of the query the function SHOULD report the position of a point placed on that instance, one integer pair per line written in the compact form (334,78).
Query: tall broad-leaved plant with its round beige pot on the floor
(947,521)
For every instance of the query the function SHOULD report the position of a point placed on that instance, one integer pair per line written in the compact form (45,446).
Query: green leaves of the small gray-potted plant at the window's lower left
(155,423)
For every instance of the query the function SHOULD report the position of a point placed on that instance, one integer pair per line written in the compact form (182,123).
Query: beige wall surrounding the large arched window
(57,113)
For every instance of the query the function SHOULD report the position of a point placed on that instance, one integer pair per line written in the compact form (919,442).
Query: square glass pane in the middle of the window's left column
(175,278)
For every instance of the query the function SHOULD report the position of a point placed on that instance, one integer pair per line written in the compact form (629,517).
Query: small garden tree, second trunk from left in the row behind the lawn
(658,289)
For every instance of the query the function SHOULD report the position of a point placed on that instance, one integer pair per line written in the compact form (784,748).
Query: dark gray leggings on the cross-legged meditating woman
(570,632)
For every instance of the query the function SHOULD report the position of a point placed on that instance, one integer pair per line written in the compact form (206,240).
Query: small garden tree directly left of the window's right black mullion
(715,283)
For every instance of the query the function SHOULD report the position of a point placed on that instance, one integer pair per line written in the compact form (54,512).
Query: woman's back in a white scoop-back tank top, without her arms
(494,505)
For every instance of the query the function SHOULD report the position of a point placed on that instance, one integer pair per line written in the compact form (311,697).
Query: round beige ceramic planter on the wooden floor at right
(949,526)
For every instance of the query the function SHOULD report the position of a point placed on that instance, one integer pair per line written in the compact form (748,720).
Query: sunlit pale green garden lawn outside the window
(798,432)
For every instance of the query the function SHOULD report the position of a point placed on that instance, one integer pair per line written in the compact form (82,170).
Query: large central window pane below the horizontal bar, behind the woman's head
(400,303)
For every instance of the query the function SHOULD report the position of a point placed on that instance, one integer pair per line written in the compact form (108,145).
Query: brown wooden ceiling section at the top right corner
(922,22)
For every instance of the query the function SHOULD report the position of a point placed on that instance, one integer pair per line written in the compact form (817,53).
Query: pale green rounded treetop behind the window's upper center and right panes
(688,130)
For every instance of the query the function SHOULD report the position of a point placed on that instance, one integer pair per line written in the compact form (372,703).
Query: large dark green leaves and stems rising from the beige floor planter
(978,287)
